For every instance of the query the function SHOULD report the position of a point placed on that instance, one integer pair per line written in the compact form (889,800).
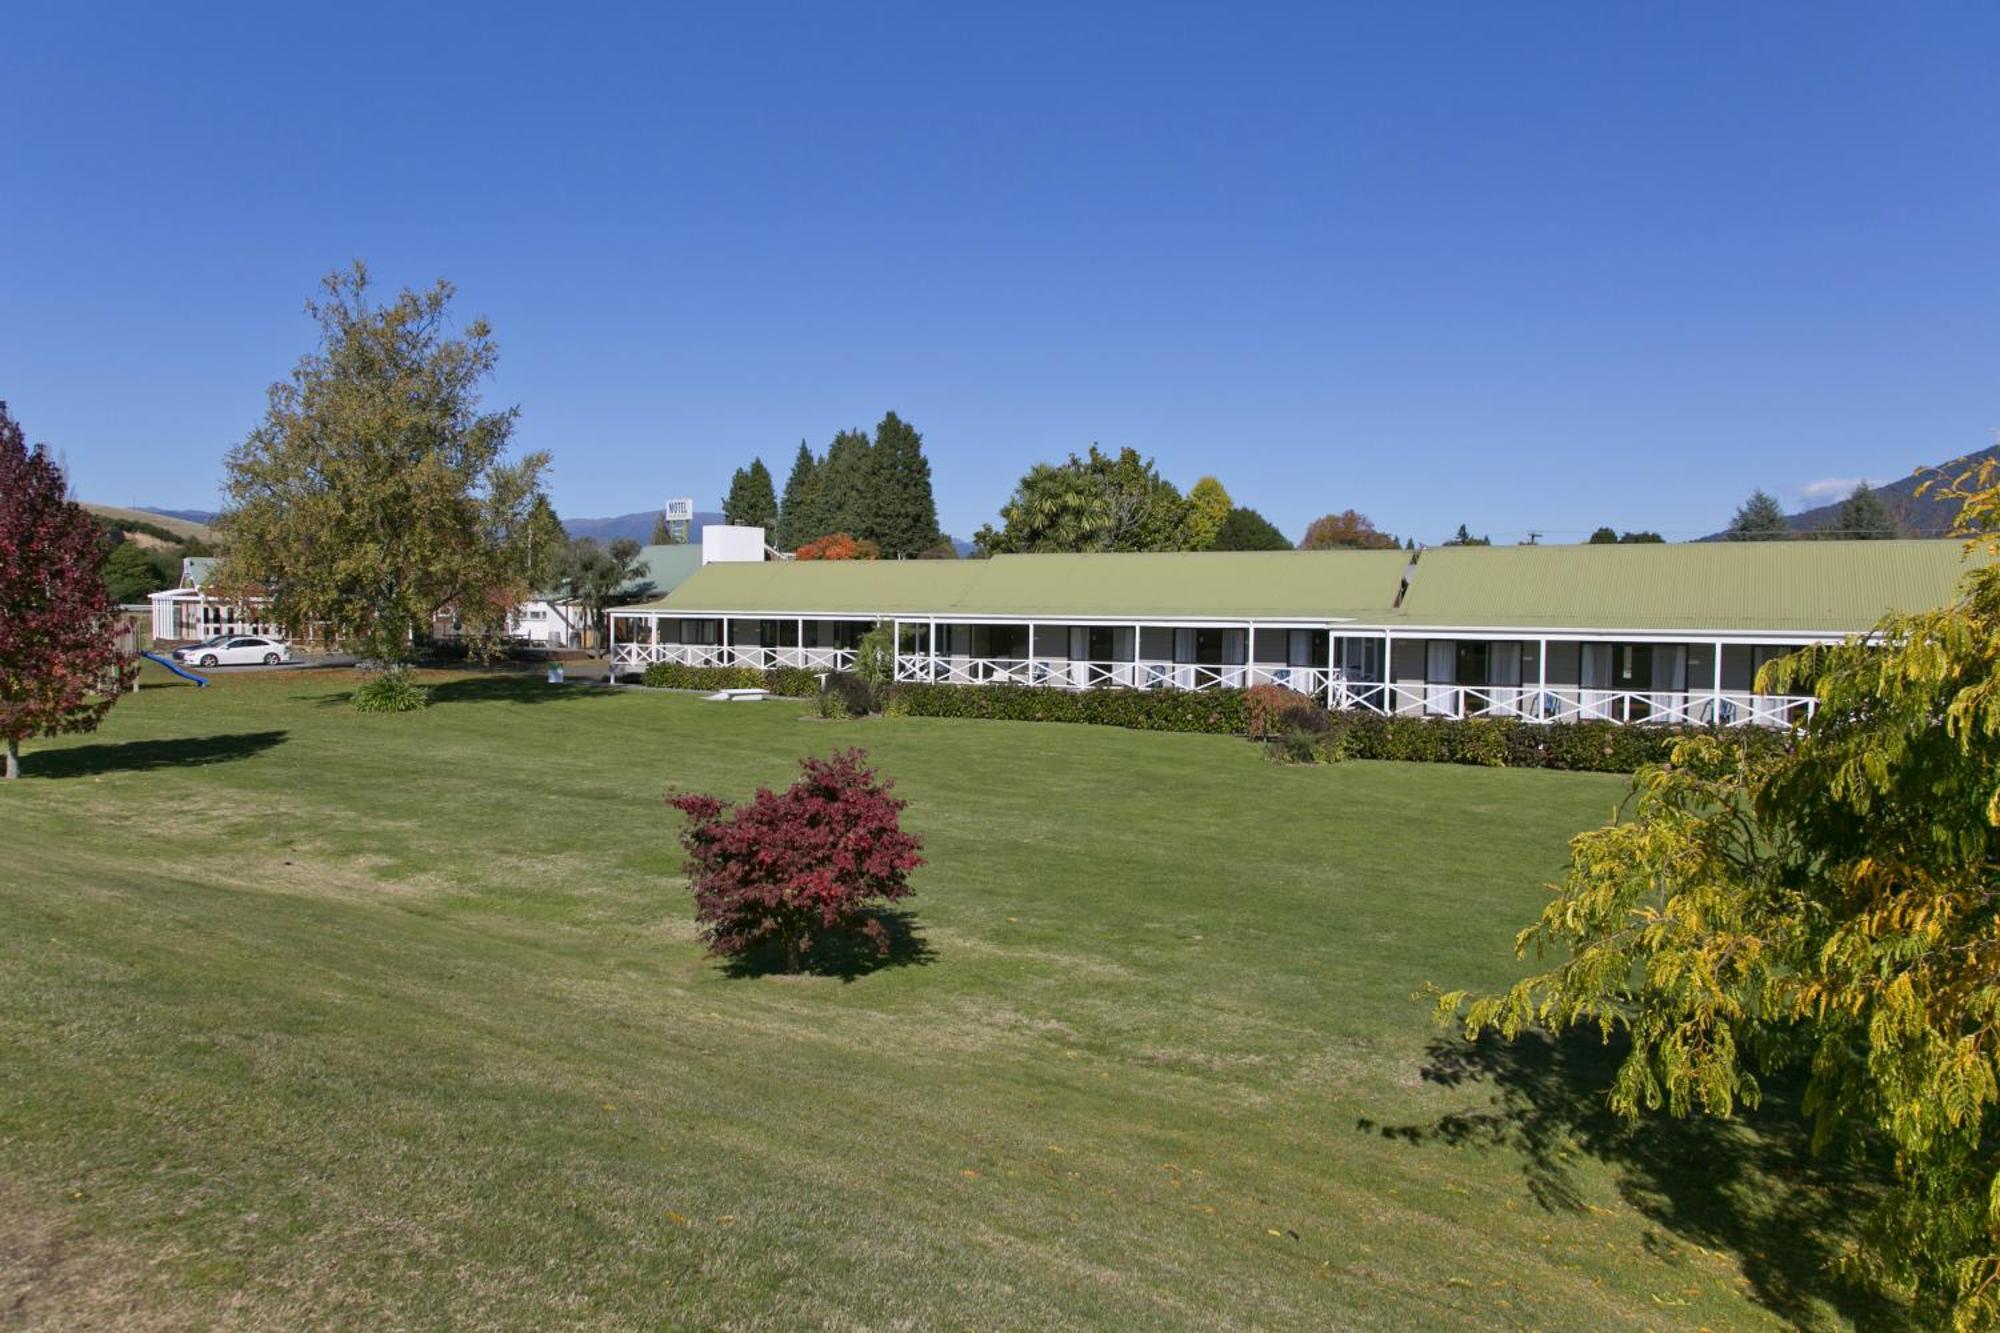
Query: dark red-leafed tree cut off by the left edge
(61,668)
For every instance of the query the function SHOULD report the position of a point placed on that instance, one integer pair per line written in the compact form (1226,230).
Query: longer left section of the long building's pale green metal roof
(1275,585)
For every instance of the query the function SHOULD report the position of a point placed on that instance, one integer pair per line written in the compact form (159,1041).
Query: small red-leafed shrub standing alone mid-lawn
(801,866)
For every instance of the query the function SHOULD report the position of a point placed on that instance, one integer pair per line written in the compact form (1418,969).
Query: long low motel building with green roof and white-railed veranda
(1623,633)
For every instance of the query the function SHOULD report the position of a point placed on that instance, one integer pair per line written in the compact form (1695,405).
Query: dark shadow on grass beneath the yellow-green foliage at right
(1749,1186)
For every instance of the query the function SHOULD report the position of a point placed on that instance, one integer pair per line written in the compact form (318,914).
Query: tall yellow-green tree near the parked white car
(377,493)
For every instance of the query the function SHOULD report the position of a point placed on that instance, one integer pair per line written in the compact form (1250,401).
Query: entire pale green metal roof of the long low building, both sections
(1729,587)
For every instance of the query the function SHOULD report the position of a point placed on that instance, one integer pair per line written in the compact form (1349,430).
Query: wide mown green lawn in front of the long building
(401,1022)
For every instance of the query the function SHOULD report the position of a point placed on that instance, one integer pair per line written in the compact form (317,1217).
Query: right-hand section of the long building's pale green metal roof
(1795,587)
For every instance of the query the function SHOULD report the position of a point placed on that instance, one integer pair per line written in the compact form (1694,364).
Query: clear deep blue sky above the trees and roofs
(1509,265)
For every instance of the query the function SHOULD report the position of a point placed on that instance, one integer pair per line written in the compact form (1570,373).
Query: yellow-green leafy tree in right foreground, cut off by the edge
(1833,908)
